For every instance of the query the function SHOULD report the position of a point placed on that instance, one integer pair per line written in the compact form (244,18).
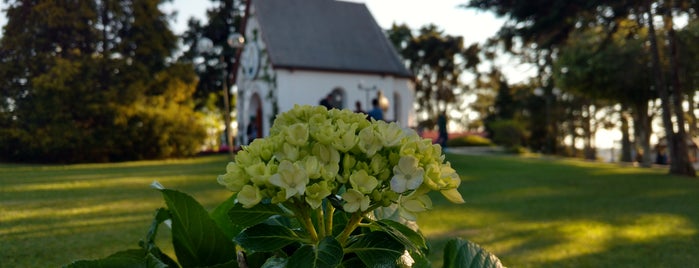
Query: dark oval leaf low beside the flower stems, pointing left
(265,237)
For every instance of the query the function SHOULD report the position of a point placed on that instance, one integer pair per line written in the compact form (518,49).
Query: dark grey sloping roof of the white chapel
(326,35)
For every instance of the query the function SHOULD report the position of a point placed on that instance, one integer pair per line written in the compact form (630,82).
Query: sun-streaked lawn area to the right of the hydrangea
(570,213)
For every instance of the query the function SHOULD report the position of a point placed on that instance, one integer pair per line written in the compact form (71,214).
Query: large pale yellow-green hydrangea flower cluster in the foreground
(315,156)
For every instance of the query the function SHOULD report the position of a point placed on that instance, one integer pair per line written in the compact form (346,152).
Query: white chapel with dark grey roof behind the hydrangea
(303,51)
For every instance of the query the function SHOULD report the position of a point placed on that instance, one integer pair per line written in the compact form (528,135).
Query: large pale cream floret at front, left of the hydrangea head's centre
(291,177)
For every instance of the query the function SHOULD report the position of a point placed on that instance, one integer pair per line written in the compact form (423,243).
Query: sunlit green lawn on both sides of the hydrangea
(529,212)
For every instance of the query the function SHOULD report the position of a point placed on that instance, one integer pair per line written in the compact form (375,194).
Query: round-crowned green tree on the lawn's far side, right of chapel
(584,67)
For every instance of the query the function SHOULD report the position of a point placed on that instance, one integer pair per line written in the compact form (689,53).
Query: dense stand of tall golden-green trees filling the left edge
(92,81)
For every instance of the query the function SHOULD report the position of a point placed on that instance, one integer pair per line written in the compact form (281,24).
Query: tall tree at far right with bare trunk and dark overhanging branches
(549,23)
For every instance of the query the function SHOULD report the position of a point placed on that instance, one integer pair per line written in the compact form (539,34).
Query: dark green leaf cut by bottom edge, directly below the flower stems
(328,253)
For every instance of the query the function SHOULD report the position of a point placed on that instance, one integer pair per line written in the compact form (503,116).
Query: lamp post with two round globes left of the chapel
(205,45)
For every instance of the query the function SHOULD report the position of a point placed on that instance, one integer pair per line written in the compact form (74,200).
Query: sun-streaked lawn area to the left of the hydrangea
(52,215)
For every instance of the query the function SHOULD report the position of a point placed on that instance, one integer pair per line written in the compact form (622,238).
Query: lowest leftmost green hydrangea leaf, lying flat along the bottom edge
(129,258)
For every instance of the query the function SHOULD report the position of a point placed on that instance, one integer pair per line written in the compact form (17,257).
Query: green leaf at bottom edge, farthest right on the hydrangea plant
(459,253)
